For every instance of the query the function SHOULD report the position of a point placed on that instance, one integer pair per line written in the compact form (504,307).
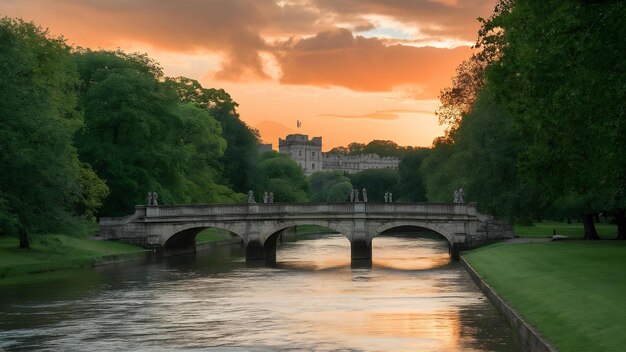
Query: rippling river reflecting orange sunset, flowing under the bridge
(412,299)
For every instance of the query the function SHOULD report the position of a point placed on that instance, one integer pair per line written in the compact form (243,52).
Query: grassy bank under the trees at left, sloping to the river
(55,252)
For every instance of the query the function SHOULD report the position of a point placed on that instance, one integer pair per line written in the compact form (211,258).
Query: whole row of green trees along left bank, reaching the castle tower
(87,133)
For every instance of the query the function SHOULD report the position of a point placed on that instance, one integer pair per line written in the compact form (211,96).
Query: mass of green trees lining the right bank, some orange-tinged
(537,124)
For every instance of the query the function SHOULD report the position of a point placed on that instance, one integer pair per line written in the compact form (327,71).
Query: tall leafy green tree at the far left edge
(43,185)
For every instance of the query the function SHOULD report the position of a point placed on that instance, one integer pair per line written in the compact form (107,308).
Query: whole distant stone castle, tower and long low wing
(308,154)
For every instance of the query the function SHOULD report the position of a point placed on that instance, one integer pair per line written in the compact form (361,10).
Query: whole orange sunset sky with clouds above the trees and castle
(350,70)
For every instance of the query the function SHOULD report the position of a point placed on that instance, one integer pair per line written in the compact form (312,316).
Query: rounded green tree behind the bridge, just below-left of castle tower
(280,174)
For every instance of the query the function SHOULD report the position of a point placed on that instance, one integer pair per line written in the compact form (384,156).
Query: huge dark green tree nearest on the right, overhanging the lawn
(560,74)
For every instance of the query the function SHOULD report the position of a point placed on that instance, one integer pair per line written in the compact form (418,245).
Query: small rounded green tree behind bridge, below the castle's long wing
(376,182)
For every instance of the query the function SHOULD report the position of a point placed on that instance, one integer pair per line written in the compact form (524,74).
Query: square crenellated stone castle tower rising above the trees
(307,153)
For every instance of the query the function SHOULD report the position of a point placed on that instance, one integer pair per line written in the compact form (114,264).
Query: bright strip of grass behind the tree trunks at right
(573,230)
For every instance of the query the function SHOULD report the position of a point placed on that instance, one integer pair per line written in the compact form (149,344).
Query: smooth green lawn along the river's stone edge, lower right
(571,292)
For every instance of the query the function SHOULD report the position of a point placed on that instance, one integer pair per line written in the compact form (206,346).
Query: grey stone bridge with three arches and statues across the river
(173,228)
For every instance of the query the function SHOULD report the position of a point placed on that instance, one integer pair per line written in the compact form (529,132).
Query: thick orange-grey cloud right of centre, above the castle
(337,58)
